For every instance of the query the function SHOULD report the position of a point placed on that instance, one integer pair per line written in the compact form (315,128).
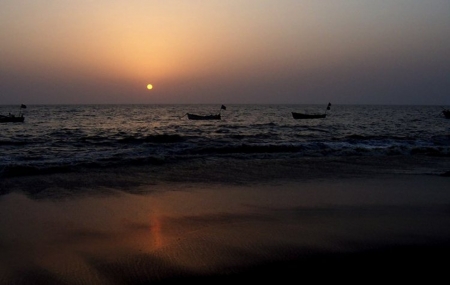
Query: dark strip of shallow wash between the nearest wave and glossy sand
(227,171)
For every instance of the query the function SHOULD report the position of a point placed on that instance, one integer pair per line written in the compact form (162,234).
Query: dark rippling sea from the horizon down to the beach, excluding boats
(68,138)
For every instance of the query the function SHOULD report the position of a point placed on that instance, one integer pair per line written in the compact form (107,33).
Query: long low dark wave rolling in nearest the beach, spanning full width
(241,152)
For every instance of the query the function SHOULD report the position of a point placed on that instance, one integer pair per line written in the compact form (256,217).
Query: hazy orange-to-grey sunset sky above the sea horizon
(225,52)
